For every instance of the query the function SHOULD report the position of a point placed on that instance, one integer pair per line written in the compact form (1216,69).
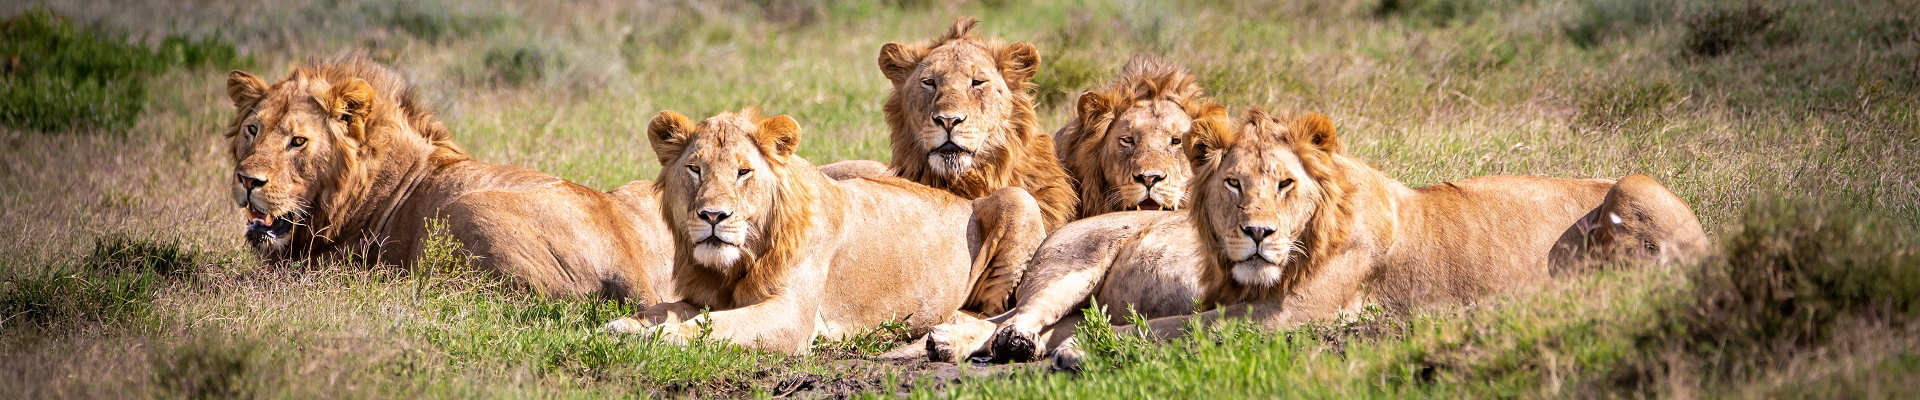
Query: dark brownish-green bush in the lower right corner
(1781,286)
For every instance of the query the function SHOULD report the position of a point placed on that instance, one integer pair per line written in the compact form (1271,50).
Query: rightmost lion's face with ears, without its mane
(1260,197)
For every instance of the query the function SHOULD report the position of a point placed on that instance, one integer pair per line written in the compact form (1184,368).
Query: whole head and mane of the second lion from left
(732,199)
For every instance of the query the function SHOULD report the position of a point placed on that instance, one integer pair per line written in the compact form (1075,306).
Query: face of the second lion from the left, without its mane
(721,182)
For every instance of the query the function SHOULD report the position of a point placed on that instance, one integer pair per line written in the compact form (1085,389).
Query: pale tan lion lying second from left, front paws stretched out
(780,255)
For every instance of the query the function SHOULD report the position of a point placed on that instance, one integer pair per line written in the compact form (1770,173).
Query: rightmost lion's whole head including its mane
(1270,203)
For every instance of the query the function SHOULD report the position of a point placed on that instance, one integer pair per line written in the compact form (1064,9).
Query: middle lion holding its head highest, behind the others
(963,122)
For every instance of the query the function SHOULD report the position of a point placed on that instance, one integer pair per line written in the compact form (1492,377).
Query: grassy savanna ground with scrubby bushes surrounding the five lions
(1790,126)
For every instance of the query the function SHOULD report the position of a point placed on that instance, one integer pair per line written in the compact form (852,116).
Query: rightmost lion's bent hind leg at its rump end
(1639,220)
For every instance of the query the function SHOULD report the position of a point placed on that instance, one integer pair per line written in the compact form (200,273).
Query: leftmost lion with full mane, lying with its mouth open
(343,161)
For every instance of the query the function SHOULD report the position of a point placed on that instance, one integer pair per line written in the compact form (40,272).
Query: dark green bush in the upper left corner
(62,78)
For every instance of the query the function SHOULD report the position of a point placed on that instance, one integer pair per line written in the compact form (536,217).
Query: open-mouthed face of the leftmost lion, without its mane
(289,145)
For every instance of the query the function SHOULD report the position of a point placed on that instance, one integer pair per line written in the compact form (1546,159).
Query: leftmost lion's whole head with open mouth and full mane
(306,149)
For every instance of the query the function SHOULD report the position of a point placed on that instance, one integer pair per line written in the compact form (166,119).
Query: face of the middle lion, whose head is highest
(955,101)
